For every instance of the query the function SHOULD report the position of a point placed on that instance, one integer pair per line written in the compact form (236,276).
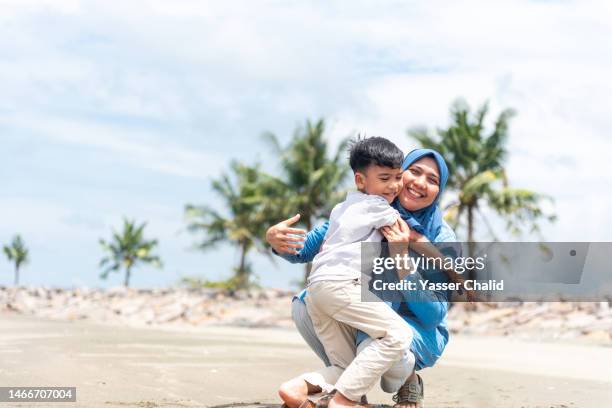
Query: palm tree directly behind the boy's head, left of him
(312,180)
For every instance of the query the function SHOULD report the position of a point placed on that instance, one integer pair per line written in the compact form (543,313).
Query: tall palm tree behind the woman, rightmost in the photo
(477,174)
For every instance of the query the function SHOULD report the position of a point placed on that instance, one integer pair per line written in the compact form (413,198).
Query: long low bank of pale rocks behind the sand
(271,307)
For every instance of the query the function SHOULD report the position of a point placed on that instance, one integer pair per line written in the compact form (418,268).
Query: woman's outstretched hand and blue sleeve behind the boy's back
(289,243)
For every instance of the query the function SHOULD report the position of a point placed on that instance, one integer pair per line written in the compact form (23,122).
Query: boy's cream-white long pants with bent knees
(336,309)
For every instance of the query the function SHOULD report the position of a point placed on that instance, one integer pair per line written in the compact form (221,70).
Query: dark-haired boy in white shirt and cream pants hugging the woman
(334,287)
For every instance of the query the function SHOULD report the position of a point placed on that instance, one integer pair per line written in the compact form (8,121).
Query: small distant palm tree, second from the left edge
(127,249)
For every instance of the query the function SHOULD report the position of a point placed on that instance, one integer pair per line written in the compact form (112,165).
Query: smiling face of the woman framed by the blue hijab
(421,184)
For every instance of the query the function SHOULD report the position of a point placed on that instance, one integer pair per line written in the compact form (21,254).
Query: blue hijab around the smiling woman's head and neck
(426,221)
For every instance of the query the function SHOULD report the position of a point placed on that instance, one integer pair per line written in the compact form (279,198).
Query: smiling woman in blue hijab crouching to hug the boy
(424,179)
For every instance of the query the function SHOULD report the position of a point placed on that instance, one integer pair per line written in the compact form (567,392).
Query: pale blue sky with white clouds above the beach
(129,109)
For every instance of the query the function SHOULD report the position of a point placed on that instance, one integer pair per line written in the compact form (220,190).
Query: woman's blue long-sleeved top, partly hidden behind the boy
(425,315)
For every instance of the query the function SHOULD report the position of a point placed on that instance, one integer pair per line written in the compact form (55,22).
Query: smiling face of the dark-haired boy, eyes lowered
(383,181)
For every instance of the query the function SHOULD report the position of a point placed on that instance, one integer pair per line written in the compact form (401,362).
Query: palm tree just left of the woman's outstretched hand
(246,194)
